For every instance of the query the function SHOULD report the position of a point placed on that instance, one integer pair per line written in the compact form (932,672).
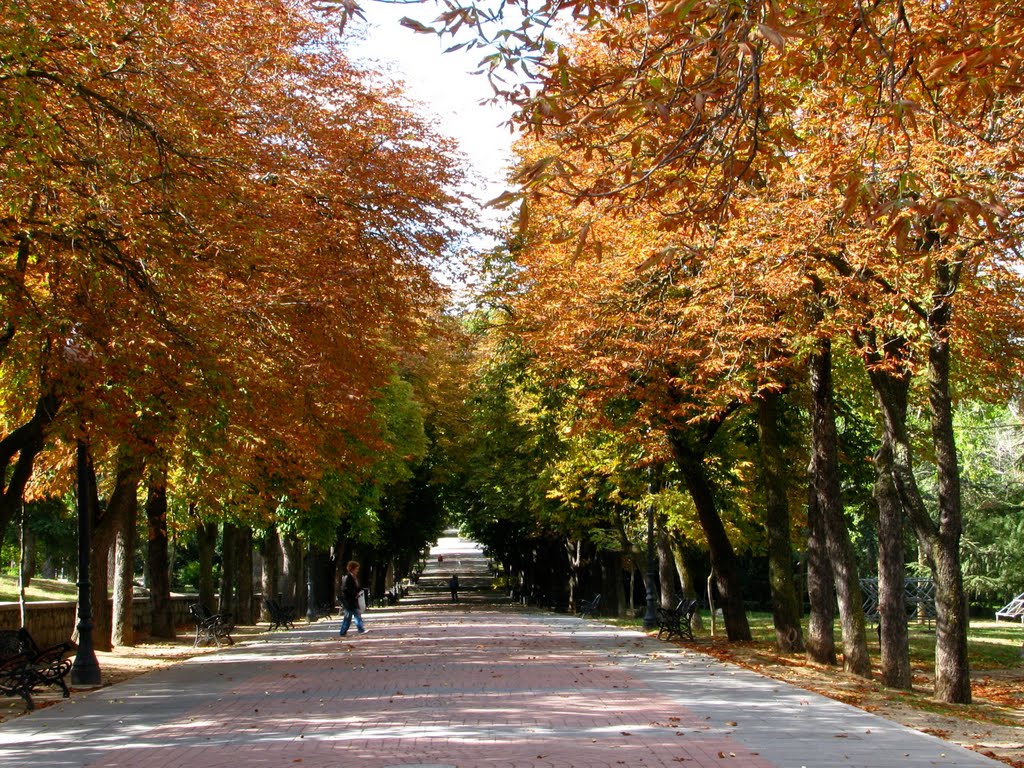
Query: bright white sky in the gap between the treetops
(443,82)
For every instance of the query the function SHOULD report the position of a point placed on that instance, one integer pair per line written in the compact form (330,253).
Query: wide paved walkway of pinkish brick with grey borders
(437,685)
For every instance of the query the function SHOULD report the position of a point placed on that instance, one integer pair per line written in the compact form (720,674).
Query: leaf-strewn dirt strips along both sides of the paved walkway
(993,726)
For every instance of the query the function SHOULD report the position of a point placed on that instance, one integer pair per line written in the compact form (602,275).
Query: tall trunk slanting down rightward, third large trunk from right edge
(826,480)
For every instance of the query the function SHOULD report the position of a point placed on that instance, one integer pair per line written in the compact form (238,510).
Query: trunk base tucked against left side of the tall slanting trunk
(821,589)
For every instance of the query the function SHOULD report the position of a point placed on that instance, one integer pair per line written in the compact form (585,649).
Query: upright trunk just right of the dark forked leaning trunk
(786,604)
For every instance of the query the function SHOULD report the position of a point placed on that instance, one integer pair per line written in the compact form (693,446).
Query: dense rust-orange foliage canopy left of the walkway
(214,221)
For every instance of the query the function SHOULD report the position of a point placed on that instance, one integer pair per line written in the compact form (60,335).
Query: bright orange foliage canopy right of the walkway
(688,193)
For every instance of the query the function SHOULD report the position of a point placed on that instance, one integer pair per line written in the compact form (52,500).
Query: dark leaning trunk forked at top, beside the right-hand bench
(690,451)
